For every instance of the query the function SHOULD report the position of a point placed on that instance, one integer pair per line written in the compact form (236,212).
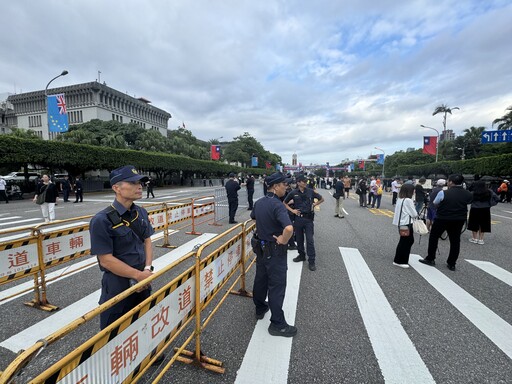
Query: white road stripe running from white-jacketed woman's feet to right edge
(488,322)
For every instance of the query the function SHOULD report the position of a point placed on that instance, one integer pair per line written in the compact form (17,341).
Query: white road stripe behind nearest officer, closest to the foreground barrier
(63,317)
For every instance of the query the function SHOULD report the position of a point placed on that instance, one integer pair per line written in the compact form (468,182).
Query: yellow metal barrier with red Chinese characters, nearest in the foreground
(126,349)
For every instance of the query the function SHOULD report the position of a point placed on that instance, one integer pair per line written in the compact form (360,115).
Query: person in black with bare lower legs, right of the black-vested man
(479,221)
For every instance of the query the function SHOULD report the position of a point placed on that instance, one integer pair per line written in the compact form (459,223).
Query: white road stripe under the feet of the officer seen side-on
(267,358)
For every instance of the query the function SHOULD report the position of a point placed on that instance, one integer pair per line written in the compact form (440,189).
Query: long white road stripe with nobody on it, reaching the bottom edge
(398,359)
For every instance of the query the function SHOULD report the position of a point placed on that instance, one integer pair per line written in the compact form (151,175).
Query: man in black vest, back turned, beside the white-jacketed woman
(452,211)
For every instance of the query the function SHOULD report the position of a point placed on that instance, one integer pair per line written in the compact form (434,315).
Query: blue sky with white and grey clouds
(326,79)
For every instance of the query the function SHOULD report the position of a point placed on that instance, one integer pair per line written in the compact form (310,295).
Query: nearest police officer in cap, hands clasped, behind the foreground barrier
(120,238)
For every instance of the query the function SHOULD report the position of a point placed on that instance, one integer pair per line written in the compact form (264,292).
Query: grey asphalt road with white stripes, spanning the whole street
(360,319)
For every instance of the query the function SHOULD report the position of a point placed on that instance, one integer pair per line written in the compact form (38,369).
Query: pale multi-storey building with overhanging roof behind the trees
(85,102)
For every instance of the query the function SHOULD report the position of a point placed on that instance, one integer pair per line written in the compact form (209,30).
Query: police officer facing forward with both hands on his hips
(303,208)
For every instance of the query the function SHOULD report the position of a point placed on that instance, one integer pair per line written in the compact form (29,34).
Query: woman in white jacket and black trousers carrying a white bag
(405,212)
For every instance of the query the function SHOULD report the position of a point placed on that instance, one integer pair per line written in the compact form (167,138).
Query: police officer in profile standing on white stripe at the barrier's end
(273,230)
